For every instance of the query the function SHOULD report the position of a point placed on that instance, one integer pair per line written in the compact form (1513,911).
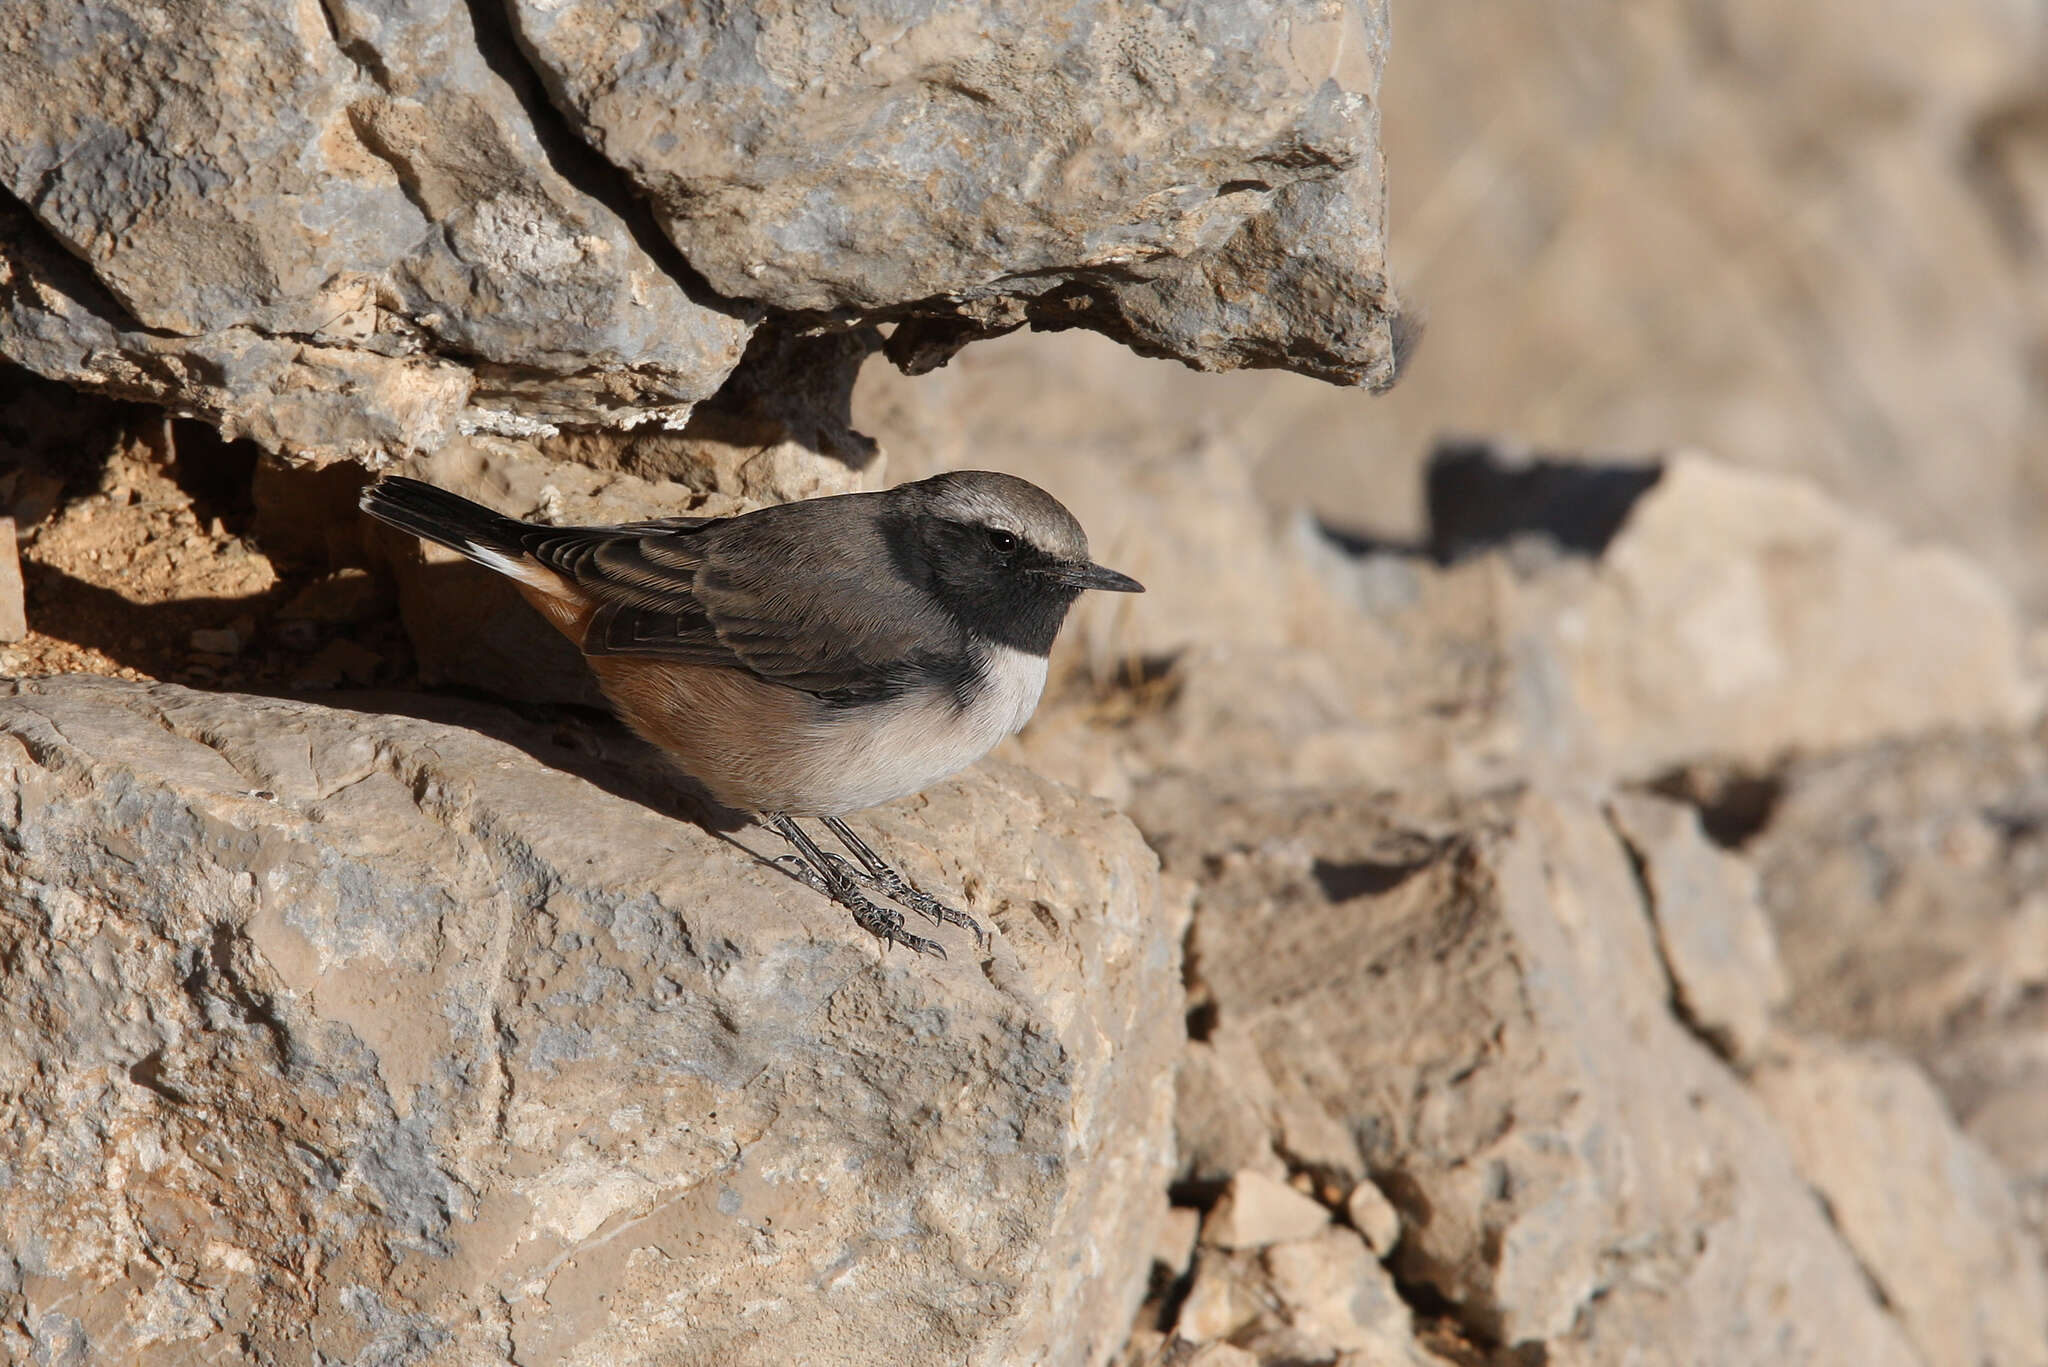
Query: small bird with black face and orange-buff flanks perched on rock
(808,659)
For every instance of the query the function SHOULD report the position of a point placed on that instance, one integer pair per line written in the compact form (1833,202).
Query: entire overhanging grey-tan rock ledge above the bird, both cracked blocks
(361,229)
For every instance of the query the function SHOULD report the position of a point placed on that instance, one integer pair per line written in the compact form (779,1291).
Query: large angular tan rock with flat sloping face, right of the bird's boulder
(1570,1163)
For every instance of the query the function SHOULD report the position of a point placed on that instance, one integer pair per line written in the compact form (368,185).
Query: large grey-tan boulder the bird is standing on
(368,1036)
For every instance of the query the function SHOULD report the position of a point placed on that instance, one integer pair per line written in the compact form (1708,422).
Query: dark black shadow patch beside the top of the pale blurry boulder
(1480,497)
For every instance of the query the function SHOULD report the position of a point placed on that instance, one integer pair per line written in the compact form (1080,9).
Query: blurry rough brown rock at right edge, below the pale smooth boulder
(1906,884)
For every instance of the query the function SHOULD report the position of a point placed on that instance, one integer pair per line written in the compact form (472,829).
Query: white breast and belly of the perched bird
(898,749)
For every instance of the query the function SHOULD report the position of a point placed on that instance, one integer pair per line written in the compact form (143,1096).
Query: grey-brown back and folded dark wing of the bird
(800,595)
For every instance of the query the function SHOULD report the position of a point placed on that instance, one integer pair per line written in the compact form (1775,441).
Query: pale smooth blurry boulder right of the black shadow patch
(1732,608)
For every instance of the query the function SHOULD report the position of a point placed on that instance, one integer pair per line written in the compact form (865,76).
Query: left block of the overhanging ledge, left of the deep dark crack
(359,179)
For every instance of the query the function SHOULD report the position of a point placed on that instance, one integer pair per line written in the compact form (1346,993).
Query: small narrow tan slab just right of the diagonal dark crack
(1711,927)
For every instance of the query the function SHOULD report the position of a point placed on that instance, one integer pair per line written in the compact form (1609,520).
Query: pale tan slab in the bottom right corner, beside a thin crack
(1924,1208)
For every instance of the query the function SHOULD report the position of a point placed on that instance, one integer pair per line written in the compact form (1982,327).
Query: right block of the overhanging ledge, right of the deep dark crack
(1203,183)
